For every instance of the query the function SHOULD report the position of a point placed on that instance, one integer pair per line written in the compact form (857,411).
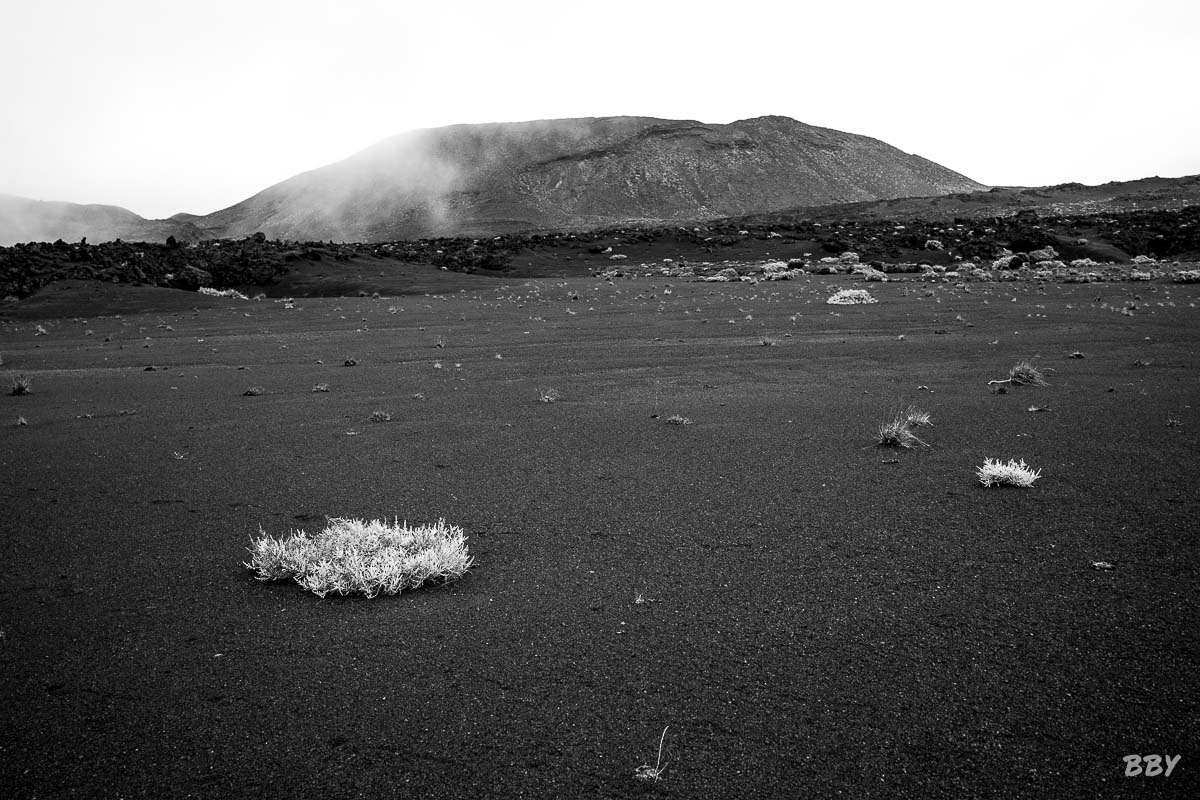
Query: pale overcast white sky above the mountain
(167,107)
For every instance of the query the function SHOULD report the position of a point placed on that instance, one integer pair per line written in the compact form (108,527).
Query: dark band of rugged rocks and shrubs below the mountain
(887,244)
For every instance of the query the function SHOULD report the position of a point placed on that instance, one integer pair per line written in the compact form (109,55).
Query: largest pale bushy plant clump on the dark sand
(356,557)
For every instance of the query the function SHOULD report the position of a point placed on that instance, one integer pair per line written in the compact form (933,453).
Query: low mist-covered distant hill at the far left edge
(23,220)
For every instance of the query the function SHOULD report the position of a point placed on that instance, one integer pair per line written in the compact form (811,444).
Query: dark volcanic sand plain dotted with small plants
(818,622)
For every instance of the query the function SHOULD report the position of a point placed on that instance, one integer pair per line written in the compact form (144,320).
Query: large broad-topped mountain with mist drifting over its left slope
(491,179)
